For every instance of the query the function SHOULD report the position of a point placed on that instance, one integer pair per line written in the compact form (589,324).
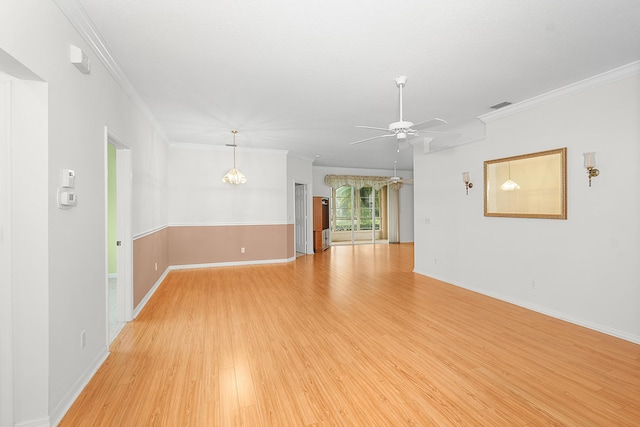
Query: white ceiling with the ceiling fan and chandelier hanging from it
(300,75)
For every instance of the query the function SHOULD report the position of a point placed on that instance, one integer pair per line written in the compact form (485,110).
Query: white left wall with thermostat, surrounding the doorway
(37,35)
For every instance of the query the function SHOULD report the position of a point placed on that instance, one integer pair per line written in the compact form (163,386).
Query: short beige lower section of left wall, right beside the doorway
(147,251)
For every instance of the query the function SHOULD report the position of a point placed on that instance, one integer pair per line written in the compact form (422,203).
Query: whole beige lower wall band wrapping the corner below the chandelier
(189,245)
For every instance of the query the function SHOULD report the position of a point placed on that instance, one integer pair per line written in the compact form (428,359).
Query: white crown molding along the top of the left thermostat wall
(79,19)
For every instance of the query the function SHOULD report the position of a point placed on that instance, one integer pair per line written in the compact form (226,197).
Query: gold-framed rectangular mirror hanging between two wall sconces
(527,186)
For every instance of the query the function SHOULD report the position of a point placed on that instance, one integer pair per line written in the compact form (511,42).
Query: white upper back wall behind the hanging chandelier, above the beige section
(197,195)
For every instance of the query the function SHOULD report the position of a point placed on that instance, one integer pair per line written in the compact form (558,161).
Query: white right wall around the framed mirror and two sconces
(584,269)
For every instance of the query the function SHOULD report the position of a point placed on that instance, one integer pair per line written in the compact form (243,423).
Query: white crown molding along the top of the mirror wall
(607,77)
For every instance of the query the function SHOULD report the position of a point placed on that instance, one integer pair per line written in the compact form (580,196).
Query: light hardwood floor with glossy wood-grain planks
(352,337)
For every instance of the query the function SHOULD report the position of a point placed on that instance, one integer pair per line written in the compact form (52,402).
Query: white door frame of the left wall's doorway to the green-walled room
(123,225)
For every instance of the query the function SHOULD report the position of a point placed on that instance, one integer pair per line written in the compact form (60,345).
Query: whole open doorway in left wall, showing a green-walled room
(119,281)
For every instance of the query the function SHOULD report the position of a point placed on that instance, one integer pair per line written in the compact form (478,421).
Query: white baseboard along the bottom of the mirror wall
(543,310)
